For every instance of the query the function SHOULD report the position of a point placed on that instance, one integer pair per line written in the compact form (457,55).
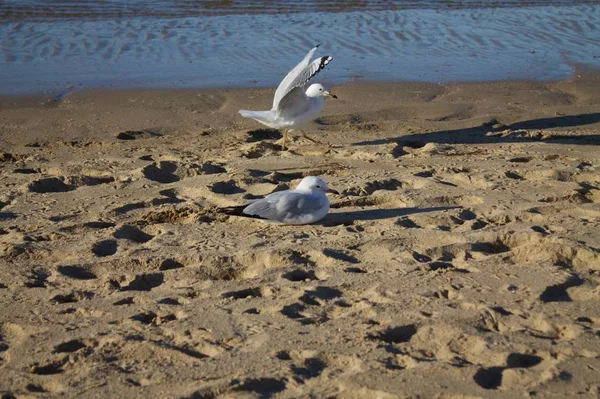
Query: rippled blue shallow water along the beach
(66,45)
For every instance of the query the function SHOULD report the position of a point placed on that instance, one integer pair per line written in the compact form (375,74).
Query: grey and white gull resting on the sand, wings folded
(305,204)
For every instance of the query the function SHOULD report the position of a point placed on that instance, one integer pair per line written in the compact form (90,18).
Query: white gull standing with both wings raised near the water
(294,105)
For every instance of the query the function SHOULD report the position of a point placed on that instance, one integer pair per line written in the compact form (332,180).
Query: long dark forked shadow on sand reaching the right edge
(489,132)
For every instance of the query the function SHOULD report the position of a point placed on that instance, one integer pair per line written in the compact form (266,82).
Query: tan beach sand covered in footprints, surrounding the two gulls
(461,258)
